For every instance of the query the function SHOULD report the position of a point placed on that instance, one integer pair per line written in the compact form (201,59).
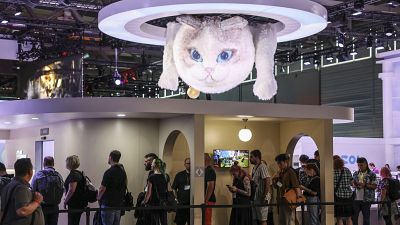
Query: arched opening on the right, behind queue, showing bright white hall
(298,145)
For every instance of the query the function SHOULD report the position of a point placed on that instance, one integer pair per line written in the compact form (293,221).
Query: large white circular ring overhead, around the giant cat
(127,19)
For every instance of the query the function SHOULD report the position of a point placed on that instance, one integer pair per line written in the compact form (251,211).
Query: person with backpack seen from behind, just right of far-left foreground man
(50,184)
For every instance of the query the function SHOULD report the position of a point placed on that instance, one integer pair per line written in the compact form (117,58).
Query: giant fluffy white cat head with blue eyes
(213,55)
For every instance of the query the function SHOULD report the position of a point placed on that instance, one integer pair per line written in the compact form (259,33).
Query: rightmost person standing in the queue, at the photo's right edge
(383,188)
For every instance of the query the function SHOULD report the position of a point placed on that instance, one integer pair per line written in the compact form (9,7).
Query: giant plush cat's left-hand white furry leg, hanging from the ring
(169,76)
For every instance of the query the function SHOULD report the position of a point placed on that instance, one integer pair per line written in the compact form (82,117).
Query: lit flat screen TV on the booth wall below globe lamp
(225,158)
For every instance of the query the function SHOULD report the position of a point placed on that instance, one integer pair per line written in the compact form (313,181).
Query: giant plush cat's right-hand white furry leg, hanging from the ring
(265,42)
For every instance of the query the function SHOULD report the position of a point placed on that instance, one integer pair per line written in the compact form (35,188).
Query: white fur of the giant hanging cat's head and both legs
(209,37)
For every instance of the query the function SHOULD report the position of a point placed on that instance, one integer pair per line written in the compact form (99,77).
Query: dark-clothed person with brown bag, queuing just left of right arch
(285,179)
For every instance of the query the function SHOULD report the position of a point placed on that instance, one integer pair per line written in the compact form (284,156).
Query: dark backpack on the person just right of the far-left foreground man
(51,186)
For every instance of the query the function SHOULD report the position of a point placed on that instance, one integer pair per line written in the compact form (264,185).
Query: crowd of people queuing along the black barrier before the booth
(37,203)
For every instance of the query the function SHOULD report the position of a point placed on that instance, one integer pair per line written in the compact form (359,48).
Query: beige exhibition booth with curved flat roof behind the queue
(175,129)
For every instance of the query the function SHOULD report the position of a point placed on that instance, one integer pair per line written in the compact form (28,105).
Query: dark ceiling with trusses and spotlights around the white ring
(59,27)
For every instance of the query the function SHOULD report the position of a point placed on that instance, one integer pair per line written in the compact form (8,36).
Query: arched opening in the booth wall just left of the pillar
(176,150)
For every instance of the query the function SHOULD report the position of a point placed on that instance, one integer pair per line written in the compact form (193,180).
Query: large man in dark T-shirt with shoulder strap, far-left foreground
(21,206)
